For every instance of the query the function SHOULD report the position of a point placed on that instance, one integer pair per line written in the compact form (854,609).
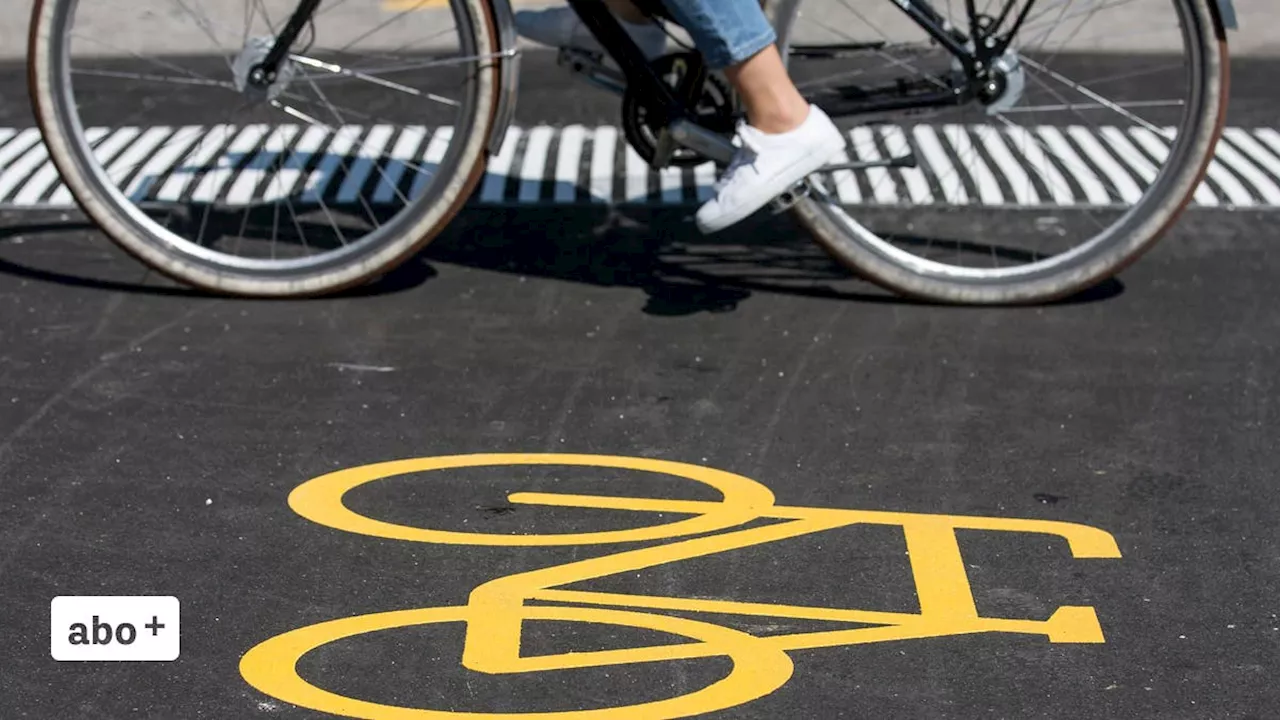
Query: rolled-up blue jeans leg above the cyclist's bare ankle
(726,33)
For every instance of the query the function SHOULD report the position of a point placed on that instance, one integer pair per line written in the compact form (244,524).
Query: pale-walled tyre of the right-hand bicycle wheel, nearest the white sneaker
(1105,256)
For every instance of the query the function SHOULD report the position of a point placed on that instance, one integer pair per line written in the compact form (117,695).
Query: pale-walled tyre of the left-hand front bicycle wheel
(420,221)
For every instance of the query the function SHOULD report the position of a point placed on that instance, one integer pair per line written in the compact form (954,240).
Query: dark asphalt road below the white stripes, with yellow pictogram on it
(885,509)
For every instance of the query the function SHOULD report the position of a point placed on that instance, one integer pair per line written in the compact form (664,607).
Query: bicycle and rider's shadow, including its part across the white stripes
(309,202)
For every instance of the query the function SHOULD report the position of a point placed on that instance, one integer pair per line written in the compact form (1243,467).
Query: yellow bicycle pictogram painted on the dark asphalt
(497,610)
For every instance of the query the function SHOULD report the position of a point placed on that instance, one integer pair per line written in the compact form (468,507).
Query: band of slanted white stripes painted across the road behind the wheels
(959,166)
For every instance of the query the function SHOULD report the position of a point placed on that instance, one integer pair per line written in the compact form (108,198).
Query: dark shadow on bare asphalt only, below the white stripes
(656,250)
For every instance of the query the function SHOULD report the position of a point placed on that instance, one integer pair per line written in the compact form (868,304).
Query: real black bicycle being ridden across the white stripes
(296,199)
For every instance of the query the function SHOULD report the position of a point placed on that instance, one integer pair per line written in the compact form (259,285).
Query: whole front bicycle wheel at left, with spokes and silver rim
(360,153)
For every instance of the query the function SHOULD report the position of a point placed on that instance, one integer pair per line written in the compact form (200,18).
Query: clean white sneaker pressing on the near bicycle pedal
(767,166)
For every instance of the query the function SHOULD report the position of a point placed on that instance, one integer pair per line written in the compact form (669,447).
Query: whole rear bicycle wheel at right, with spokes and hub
(1104,130)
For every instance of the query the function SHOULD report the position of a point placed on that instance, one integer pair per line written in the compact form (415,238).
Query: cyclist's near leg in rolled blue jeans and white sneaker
(785,138)
